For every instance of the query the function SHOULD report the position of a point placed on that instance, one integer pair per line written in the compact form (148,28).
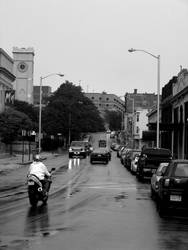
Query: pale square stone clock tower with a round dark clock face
(23,70)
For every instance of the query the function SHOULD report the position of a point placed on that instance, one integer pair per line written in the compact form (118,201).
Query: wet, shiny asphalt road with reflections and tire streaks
(91,207)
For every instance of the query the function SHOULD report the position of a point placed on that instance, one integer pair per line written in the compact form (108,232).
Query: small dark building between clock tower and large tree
(46,92)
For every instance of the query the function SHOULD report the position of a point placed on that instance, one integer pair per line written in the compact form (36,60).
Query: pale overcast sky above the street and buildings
(88,40)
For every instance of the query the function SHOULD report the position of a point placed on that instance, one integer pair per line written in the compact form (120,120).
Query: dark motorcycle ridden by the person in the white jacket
(36,190)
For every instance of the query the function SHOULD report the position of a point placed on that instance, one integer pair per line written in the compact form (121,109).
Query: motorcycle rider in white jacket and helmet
(39,170)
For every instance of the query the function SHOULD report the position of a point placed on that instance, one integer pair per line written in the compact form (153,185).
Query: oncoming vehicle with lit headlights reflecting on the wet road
(78,148)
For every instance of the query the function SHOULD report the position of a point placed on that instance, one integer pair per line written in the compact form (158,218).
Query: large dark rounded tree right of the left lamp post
(68,108)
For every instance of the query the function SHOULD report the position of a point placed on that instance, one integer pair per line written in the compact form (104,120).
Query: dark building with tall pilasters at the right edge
(174,125)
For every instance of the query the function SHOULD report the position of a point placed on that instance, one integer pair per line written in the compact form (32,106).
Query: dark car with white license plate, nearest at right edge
(173,186)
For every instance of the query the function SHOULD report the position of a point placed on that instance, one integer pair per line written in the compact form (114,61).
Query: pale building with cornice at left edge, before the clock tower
(6,79)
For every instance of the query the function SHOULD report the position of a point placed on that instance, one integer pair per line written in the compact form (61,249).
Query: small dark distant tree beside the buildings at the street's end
(114,119)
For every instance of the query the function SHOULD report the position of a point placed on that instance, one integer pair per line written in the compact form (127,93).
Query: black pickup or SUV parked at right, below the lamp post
(149,161)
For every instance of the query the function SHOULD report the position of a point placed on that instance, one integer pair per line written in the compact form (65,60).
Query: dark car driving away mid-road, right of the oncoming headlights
(99,155)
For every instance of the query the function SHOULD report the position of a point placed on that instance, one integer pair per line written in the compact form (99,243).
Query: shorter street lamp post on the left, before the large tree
(40,106)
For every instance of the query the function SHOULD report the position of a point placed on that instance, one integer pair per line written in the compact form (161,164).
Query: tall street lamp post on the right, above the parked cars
(158,86)
